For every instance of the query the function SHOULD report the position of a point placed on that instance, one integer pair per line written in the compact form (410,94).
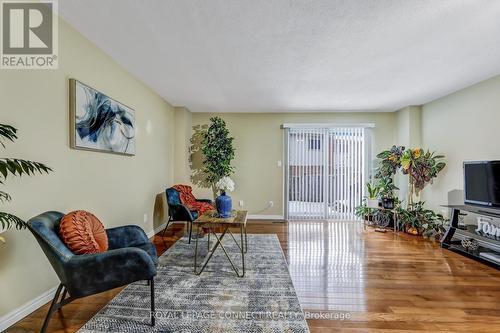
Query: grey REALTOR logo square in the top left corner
(29,35)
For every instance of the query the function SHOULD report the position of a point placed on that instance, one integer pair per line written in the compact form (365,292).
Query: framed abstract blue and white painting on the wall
(100,123)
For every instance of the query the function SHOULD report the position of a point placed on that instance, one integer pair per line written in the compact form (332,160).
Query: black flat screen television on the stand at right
(482,183)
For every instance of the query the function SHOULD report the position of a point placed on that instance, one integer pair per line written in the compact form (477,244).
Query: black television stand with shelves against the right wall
(487,243)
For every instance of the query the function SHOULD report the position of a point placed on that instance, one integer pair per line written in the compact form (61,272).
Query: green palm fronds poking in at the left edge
(14,167)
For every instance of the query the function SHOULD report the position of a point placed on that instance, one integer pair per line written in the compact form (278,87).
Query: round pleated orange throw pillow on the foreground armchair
(83,233)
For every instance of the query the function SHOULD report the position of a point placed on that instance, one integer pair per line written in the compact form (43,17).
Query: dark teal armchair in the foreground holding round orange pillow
(131,257)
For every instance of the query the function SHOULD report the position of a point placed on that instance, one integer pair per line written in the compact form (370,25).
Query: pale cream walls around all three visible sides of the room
(120,189)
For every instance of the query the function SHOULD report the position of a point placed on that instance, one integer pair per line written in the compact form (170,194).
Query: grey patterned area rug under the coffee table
(264,300)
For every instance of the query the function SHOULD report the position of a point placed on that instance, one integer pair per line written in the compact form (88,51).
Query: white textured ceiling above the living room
(309,55)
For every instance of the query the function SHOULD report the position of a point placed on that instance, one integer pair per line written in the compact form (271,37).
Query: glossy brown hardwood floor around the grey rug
(383,282)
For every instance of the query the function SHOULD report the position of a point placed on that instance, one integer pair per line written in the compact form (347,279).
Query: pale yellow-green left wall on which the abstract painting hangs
(118,189)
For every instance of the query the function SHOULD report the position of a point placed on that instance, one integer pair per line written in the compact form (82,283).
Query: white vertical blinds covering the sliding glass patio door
(325,173)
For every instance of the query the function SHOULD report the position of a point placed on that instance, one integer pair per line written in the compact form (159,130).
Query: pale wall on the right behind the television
(463,126)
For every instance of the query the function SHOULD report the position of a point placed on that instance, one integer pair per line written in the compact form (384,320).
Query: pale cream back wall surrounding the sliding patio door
(258,140)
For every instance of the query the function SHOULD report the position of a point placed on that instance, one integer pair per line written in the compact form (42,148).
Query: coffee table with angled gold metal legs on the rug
(209,220)
